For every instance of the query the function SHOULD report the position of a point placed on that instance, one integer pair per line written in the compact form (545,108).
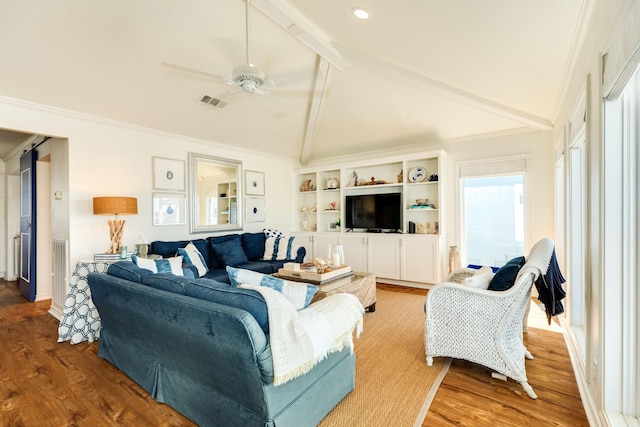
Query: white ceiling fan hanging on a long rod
(246,78)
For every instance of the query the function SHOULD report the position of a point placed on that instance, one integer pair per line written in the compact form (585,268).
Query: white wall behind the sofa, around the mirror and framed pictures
(108,158)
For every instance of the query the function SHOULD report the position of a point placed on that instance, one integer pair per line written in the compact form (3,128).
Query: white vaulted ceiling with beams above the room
(415,72)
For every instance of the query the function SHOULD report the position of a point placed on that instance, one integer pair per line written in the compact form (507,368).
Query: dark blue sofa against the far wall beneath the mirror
(244,250)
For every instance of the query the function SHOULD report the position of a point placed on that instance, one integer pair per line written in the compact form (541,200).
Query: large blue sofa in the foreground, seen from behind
(202,347)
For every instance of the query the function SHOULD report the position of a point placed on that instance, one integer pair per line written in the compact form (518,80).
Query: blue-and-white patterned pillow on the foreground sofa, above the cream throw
(299,294)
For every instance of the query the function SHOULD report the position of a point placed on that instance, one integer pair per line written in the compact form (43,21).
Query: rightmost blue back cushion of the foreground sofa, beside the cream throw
(220,293)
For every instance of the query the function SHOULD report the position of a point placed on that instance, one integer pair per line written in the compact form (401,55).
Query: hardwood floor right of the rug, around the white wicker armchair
(469,396)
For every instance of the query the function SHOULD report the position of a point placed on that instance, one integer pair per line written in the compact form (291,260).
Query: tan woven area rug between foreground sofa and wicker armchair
(394,385)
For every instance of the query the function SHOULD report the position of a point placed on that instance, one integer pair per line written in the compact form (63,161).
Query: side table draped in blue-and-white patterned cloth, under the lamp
(80,318)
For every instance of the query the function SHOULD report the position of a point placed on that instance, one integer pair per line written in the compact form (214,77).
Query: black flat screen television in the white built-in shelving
(374,212)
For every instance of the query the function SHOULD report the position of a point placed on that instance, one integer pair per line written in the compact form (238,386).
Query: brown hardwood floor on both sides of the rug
(46,383)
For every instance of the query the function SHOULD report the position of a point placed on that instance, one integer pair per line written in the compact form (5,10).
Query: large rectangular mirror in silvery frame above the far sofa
(215,186)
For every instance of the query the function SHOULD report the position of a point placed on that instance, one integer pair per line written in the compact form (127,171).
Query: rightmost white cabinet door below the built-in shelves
(420,258)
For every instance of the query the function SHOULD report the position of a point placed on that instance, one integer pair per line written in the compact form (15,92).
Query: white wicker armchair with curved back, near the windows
(484,326)
